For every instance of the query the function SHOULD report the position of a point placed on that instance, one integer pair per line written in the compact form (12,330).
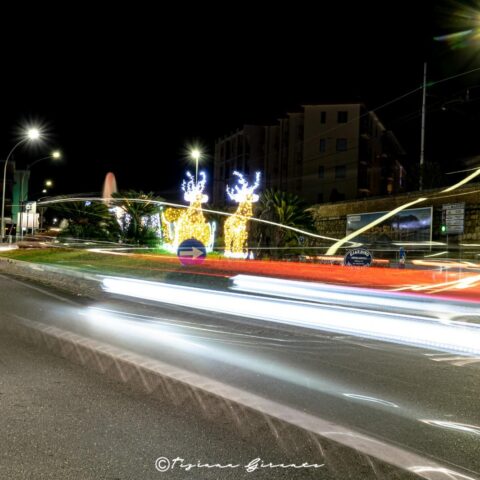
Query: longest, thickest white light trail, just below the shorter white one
(390,327)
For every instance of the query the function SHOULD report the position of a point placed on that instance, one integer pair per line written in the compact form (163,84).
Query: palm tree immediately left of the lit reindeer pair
(140,214)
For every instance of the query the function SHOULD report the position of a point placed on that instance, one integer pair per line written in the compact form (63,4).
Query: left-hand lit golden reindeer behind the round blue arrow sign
(191,223)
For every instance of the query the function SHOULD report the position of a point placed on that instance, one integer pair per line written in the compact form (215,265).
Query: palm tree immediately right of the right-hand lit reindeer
(285,209)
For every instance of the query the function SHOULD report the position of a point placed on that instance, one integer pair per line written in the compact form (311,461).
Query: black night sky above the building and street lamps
(127,89)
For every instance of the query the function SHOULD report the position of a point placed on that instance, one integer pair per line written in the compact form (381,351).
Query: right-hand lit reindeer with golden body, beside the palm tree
(235,228)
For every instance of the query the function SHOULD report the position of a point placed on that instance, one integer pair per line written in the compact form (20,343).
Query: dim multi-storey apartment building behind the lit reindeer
(324,153)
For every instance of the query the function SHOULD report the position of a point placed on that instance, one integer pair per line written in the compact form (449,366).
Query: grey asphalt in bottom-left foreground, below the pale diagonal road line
(62,421)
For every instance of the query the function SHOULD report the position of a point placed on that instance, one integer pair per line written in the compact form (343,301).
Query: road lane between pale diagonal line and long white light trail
(424,401)
